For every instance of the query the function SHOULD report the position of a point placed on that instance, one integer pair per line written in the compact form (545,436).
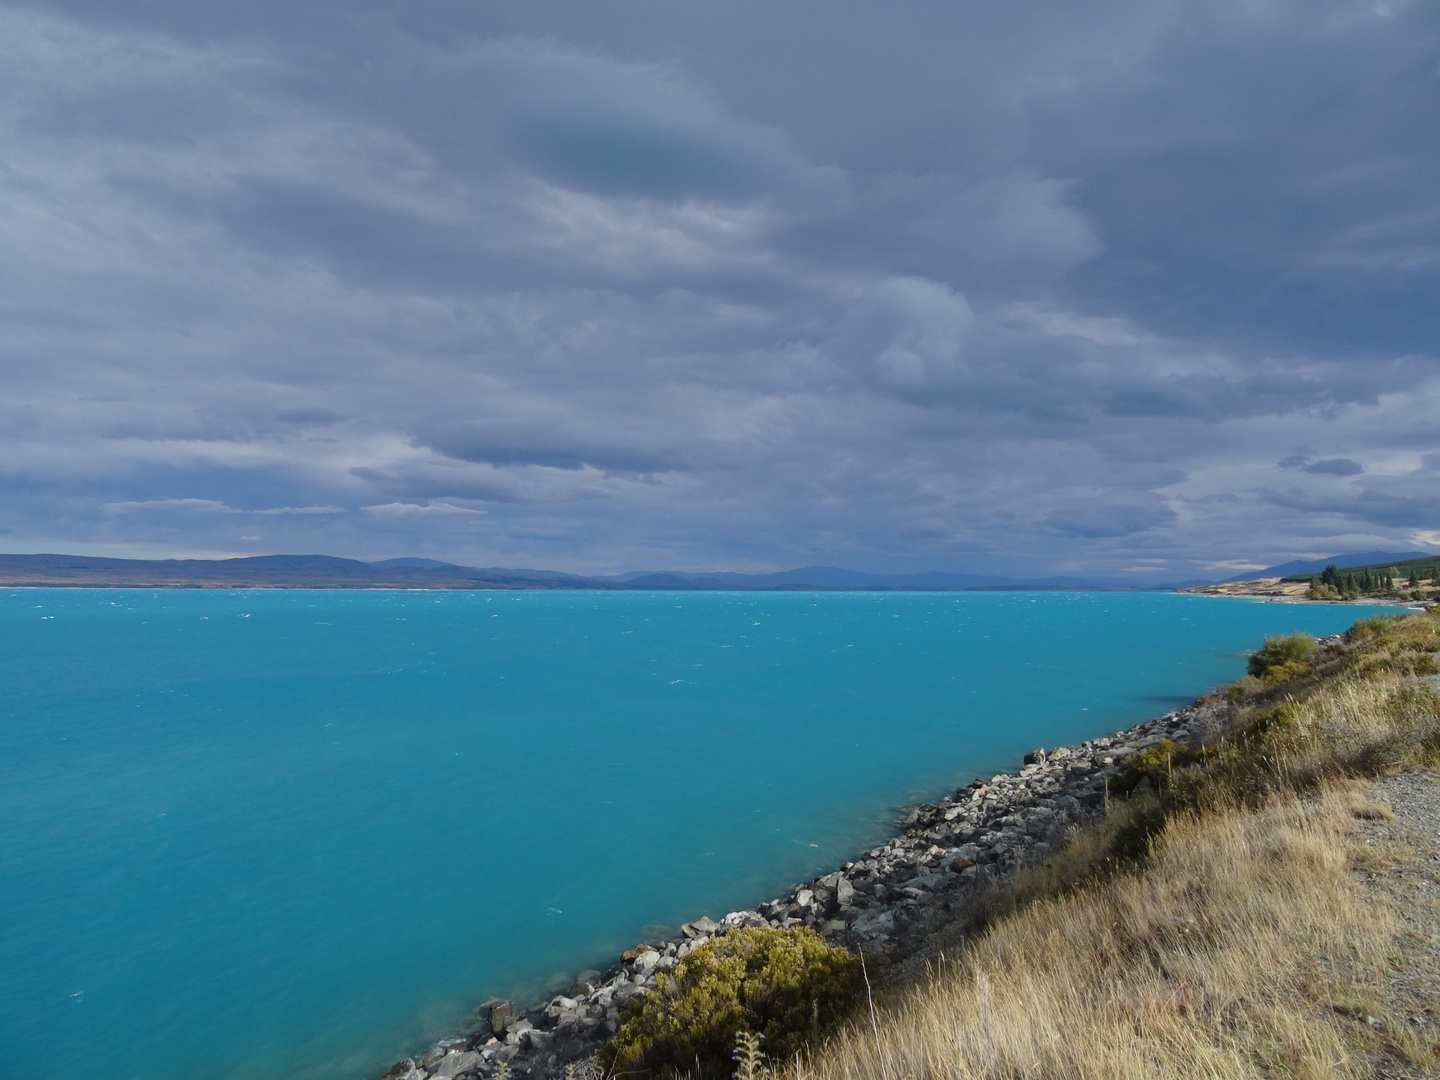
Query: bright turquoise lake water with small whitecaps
(300,834)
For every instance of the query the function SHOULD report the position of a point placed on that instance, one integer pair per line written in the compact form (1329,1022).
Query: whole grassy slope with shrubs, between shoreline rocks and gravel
(1241,947)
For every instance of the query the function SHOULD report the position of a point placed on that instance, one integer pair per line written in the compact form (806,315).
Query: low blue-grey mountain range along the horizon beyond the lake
(329,572)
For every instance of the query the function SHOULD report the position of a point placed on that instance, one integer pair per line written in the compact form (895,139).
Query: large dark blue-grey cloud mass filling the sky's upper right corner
(1284,152)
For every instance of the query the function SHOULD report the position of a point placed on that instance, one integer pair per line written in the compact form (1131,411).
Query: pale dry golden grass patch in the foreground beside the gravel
(1203,966)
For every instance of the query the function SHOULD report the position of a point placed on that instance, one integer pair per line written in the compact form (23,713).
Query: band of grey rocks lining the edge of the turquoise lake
(948,859)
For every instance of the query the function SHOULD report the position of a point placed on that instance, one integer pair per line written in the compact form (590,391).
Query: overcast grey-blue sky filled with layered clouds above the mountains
(1020,289)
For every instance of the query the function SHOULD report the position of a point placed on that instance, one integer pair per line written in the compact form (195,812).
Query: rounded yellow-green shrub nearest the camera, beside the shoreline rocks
(786,986)
